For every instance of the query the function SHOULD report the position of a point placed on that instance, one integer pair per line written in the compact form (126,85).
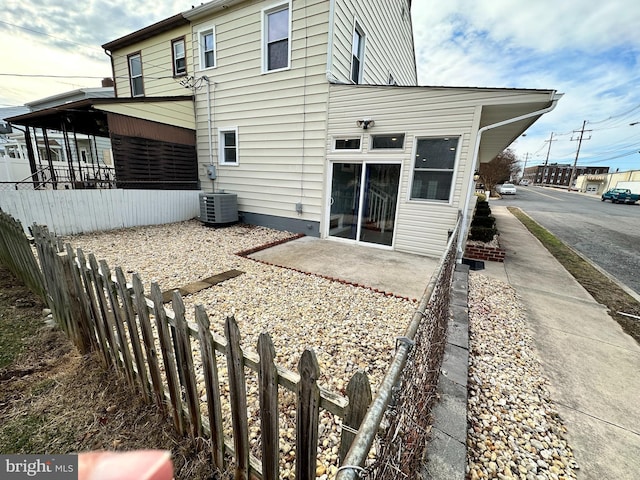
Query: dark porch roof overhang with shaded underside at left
(87,116)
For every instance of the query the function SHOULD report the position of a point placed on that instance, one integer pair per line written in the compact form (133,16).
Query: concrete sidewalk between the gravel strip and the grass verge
(593,367)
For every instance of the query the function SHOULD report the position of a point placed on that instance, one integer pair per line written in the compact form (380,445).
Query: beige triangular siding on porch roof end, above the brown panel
(178,113)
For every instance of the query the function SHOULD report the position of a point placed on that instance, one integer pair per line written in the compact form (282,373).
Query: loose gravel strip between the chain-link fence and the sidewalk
(514,428)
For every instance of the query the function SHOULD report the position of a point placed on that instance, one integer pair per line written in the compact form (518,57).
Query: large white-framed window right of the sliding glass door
(435,160)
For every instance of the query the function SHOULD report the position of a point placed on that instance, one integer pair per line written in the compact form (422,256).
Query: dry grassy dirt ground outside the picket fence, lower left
(54,400)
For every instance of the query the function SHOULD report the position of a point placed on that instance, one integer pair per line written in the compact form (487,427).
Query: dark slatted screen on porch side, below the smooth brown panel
(143,163)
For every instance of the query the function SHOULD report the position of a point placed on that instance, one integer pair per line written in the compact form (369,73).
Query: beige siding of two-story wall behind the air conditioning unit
(281,116)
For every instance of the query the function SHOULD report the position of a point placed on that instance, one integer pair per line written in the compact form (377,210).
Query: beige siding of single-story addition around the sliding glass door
(421,226)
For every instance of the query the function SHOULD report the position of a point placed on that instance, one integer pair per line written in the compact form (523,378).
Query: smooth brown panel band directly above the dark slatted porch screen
(137,127)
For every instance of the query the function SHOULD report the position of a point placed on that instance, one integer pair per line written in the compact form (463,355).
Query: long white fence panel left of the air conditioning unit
(68,212)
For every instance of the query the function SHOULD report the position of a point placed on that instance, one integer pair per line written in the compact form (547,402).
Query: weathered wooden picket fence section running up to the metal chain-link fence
(151,347)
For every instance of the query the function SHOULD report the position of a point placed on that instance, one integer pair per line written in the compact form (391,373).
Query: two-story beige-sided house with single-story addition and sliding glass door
(310,112)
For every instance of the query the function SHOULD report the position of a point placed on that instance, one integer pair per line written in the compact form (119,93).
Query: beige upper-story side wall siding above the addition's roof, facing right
(388,41)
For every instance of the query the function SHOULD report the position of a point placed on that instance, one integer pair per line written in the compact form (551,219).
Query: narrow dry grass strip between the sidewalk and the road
(601,288)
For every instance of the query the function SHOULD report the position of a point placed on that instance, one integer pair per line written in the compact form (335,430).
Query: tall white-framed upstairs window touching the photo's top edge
(276,30)
